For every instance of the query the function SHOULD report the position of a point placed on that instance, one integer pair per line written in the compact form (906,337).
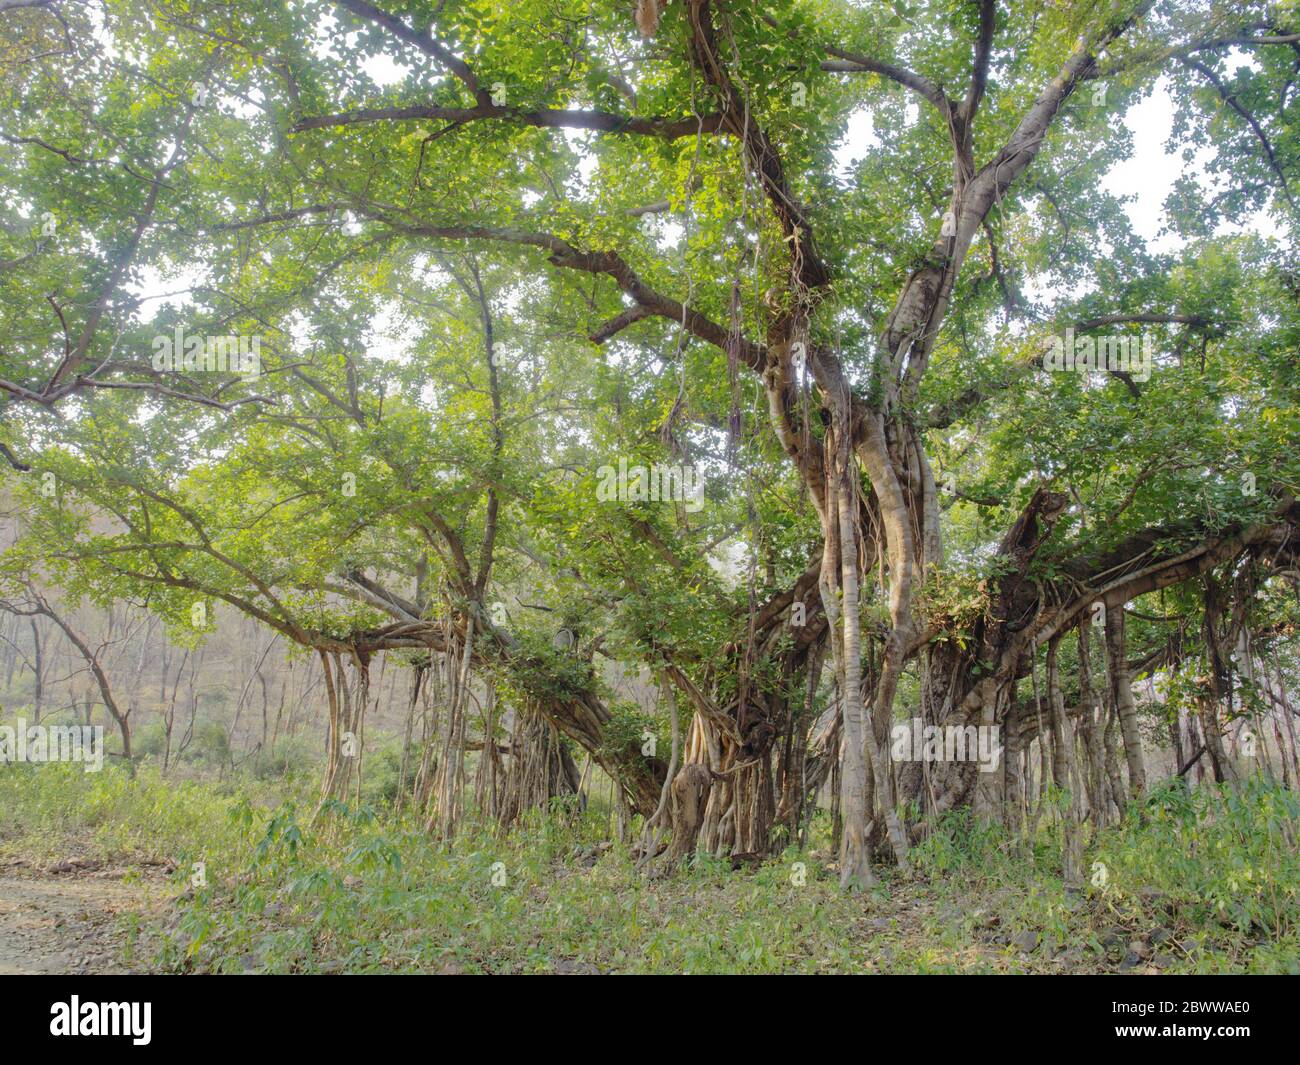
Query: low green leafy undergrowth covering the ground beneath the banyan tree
(1191,884)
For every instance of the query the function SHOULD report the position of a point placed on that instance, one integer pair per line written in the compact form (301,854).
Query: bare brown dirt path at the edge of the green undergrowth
(72,917)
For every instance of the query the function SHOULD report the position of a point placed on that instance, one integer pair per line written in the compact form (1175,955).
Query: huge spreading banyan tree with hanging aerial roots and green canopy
(977,454)
